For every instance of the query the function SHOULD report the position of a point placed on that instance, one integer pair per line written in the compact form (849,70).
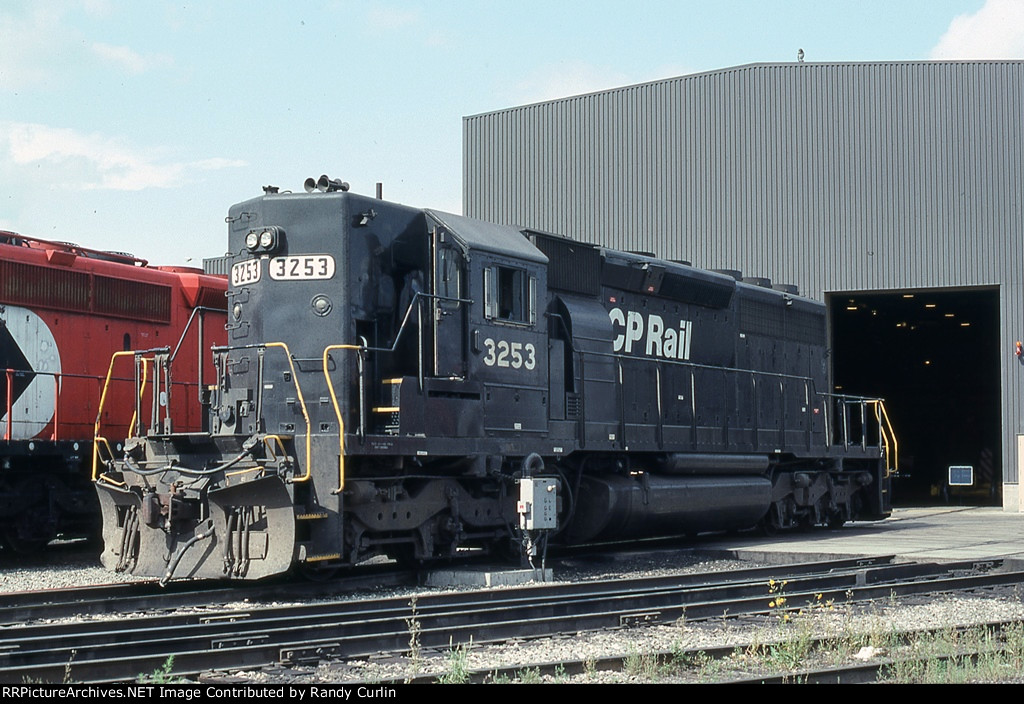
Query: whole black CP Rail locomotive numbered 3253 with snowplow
(409,383)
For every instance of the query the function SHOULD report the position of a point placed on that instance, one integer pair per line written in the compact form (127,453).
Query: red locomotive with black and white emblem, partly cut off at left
(65,311)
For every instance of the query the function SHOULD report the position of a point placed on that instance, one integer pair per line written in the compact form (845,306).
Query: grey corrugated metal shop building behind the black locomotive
(880,188)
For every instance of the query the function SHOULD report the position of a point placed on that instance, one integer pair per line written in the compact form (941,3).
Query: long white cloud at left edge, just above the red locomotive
(73,159)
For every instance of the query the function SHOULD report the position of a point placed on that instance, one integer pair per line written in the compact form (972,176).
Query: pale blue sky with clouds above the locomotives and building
(134,125)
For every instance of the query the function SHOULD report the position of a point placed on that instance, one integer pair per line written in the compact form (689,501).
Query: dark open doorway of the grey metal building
(933,356)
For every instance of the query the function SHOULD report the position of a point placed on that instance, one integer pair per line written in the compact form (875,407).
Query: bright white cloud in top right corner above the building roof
(997,31)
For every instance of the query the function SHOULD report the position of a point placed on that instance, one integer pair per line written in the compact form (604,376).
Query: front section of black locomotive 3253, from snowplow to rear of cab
(381,364)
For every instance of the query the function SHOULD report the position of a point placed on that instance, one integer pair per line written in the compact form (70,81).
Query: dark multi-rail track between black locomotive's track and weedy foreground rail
(118,650)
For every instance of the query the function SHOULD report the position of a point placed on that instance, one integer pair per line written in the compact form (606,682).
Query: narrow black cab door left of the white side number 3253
(449,307)
